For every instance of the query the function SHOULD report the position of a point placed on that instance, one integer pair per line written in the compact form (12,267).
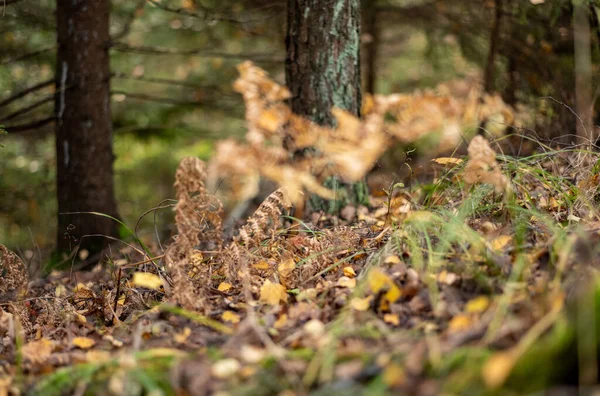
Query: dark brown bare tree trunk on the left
(84,155)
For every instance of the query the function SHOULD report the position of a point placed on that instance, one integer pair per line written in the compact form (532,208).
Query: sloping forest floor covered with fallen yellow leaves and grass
(432,288)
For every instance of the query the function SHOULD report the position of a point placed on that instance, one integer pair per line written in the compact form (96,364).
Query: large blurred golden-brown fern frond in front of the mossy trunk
(352,148)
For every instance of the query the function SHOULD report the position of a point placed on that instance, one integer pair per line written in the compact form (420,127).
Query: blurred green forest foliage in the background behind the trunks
(174,61)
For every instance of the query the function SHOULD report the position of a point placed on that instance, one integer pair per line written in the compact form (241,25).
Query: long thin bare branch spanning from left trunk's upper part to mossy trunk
(260,57)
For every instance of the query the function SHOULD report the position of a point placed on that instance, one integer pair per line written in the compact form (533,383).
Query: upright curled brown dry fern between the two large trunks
(199,220)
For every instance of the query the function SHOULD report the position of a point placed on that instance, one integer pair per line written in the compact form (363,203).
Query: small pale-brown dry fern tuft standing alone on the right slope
(482,166)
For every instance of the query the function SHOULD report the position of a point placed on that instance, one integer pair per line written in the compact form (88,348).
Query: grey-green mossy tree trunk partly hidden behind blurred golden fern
(323,71)
